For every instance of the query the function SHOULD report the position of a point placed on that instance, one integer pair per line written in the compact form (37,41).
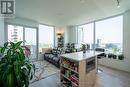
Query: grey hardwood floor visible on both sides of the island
(108,78)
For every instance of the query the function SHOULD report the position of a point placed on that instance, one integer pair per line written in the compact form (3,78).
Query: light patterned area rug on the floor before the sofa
(43,69)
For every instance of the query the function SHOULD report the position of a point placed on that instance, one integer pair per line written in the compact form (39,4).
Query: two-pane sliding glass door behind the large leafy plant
(28,35)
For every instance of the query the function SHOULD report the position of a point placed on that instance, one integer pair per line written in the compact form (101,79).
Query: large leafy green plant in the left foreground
(15,68)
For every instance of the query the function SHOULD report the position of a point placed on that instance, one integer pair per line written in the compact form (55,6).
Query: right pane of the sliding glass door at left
(30,41)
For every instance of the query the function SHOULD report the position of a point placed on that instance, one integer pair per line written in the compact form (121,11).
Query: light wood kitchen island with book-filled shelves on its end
(77,73)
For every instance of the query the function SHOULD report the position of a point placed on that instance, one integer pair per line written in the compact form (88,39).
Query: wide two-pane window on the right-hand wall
(108,34)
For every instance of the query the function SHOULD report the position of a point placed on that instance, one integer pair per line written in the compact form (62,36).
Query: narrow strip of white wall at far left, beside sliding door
(2,36)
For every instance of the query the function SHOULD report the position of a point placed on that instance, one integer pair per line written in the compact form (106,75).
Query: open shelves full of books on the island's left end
(69,73)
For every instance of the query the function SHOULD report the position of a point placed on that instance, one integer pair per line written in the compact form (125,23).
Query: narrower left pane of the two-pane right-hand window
(86,34)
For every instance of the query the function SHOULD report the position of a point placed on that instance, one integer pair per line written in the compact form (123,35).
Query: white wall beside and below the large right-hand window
(122,64)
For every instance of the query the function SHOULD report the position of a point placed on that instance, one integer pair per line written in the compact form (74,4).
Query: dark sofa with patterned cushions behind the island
(54,56)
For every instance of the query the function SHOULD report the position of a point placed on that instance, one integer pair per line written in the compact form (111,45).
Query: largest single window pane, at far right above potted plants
(109,33)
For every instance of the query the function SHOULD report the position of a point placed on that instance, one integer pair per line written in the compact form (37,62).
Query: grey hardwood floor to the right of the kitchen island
(112,78)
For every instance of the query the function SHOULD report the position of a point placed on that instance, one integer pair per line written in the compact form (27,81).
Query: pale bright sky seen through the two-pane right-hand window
(108,30)
